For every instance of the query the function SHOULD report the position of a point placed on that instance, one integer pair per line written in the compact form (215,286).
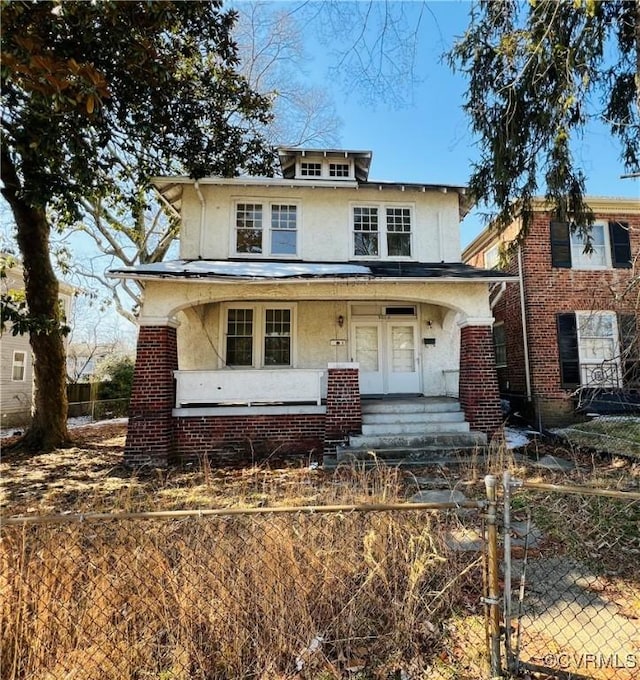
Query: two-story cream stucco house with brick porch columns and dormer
(298,298)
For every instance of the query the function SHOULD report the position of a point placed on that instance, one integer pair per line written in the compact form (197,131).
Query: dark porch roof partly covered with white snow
(263,270)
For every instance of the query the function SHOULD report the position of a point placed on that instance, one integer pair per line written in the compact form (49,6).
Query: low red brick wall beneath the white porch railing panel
(241,440)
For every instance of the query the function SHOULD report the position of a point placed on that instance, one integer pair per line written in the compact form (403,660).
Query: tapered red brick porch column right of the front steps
(479,392)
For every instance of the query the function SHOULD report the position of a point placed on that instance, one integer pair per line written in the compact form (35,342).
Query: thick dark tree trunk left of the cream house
(48,428)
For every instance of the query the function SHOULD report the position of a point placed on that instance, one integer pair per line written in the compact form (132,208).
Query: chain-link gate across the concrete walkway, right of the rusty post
(571,566)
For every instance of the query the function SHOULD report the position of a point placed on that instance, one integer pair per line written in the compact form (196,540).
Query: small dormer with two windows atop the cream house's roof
(333,165)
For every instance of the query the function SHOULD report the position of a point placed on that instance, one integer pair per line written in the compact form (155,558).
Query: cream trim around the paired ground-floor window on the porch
(259,321)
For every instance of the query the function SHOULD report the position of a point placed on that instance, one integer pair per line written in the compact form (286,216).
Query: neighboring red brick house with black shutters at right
(579,312)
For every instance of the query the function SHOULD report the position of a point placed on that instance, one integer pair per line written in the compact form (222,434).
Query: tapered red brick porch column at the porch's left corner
(150,432)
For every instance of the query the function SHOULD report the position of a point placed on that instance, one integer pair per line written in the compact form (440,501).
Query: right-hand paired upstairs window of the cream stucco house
(389,236)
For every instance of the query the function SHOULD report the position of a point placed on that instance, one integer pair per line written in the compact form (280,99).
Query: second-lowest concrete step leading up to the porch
(419,440)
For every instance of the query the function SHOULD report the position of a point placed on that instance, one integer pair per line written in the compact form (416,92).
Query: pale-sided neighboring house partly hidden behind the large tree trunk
(16,362)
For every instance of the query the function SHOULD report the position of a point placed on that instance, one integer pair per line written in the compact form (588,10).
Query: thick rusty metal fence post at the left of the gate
(493,567)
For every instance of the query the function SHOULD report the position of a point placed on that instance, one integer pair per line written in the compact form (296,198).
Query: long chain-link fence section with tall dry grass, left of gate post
(344,592)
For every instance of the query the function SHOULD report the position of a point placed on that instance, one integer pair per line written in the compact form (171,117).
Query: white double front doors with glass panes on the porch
(387,352)
